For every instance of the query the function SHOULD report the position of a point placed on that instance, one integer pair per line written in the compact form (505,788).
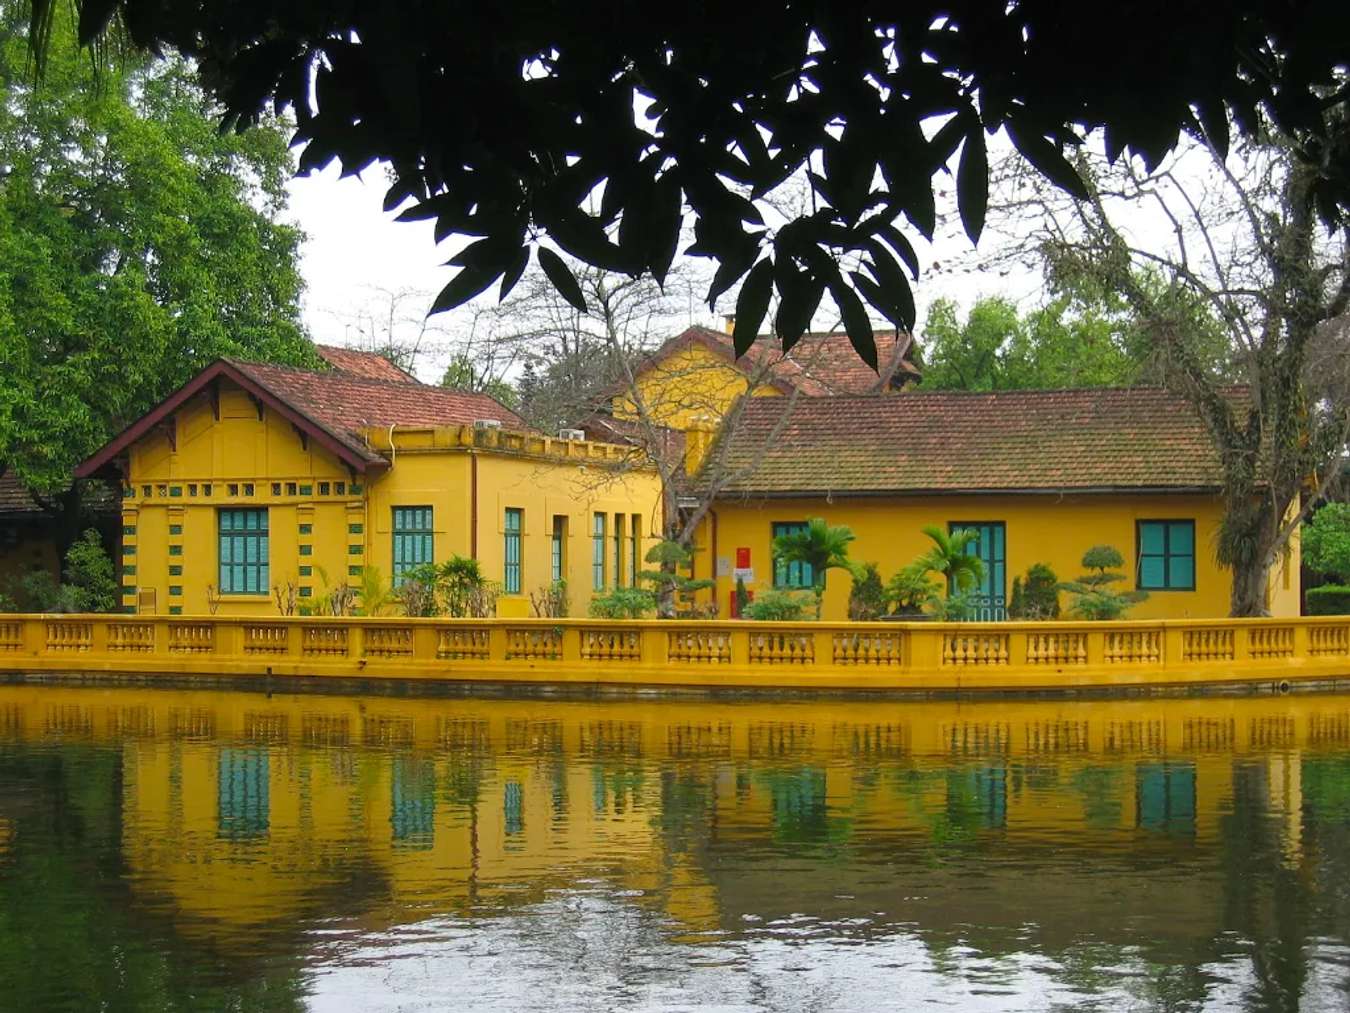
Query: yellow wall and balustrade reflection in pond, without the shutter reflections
(592,794)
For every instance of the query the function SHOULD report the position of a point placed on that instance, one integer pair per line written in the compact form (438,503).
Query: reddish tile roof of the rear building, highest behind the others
(819,365)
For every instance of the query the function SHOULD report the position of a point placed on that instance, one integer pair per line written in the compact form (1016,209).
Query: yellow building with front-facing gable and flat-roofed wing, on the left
(253,480)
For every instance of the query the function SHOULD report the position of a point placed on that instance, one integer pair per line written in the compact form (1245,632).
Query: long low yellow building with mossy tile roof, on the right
(1042,476)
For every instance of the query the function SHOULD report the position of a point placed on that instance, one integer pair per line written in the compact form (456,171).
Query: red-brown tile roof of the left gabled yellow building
(333,407)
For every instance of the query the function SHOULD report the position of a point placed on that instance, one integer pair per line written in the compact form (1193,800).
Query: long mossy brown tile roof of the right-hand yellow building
(951,442)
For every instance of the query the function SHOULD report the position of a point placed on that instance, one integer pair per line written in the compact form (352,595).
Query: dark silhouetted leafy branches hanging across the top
(603,125)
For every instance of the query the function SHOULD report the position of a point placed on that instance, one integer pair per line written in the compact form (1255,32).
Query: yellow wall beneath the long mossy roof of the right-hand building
(1040,530)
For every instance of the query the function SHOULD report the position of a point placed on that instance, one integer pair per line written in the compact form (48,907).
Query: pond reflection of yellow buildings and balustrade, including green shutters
(244,812)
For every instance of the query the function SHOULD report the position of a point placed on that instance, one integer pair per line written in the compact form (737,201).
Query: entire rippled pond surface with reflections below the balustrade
(199,850)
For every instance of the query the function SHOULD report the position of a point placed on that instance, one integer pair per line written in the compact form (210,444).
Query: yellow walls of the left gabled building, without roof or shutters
(326,522)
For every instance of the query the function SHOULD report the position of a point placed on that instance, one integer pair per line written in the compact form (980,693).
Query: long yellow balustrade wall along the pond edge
(916,657)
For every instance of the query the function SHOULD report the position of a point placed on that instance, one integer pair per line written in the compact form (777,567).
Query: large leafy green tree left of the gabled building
(137,244)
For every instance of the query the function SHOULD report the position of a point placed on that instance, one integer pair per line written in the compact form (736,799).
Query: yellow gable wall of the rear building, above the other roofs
(689,386)
